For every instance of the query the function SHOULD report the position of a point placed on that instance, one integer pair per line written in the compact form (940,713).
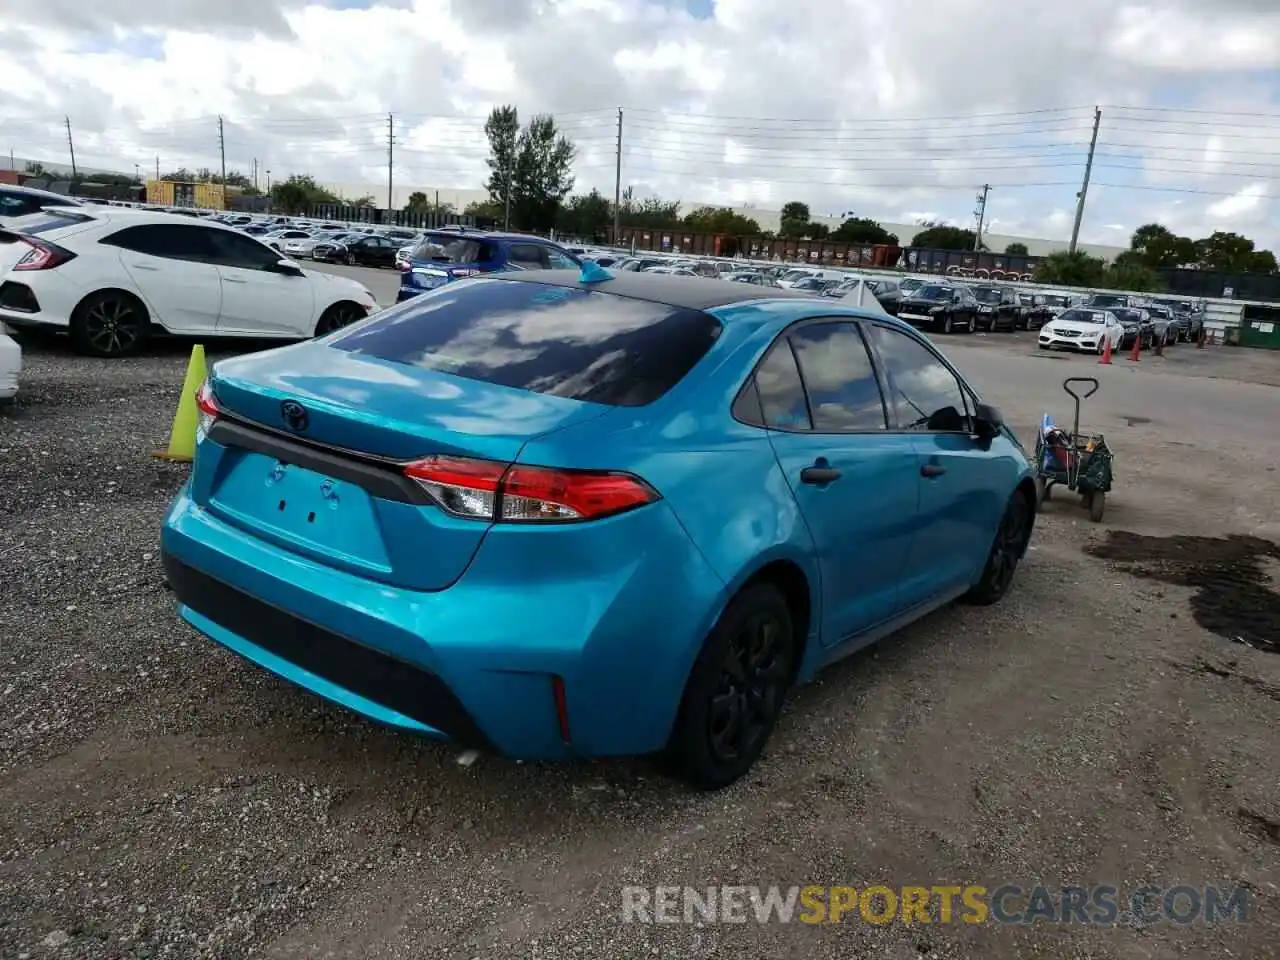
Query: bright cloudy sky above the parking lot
(894,111)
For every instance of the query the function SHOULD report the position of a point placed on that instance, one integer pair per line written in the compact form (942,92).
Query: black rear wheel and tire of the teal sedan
(755,637)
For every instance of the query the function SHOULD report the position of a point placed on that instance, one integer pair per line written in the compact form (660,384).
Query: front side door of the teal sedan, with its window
(961,490)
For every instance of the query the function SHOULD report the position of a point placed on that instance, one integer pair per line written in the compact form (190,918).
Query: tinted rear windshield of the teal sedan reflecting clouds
(565,342)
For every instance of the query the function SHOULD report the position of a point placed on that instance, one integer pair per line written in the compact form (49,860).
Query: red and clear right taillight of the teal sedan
(483,490)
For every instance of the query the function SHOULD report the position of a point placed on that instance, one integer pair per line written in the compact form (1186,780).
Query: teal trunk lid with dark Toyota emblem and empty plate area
(310,449)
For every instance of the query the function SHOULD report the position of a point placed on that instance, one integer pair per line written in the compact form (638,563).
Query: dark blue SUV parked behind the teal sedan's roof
(444,257)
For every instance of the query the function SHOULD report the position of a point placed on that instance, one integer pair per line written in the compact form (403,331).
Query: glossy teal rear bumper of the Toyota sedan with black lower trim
(477,664)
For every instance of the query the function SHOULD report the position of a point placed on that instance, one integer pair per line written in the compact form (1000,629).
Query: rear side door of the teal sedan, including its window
(856,483)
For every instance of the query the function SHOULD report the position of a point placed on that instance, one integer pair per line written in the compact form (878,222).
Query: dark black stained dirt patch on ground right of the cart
(1233,593)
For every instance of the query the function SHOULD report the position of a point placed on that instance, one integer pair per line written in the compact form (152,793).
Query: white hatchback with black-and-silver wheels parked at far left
(112,277)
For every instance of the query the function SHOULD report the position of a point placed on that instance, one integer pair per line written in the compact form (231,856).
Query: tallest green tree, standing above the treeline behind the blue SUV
(531,168)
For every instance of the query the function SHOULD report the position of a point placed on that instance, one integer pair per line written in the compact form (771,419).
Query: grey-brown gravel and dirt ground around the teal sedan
(162,798)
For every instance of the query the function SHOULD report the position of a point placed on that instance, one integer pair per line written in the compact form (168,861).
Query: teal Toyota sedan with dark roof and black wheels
(560,514)
